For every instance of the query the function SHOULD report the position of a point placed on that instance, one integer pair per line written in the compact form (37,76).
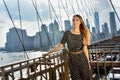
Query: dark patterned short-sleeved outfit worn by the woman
(78,63)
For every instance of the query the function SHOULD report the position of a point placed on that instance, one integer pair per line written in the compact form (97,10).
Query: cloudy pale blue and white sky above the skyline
(45,9)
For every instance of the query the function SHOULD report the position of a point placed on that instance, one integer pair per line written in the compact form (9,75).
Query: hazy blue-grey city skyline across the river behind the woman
(50,36)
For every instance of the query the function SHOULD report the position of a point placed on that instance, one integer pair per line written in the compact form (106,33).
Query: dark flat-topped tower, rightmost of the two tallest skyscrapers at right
(113,24)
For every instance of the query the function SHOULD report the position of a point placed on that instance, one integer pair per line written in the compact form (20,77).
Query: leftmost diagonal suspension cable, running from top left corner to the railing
(15,28)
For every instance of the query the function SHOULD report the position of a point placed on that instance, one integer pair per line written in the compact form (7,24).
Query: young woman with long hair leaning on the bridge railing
(77,40)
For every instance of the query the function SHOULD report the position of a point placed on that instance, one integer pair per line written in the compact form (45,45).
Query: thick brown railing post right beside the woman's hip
(65,52)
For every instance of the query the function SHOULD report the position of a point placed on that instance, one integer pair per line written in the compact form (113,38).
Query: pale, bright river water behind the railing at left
(7,57)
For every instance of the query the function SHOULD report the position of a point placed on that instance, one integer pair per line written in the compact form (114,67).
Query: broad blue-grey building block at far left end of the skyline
(17,40)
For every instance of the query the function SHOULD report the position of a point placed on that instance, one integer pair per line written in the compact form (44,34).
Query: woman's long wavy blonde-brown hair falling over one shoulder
(84,31)
